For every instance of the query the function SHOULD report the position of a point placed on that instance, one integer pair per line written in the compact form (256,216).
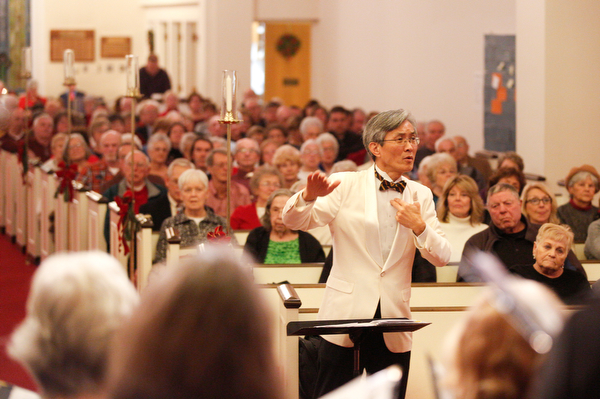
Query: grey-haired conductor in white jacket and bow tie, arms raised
(378,219)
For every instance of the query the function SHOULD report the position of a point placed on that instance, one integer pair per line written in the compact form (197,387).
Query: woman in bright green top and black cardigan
(274,243)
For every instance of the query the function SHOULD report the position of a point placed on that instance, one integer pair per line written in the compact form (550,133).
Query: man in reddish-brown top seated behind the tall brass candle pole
(217,187)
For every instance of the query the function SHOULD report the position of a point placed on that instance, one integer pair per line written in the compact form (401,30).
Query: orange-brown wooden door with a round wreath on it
(287,62)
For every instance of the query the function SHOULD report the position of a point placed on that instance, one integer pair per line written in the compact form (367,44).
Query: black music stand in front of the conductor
(357,329)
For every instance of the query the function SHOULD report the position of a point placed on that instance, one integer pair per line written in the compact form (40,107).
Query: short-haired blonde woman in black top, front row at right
(550,251)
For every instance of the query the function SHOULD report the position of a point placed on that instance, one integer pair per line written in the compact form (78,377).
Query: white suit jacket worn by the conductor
(359,278)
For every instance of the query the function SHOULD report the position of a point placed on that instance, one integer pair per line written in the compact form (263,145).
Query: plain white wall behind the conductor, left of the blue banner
(423,55)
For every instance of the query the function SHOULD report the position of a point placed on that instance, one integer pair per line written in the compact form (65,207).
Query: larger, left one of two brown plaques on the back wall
(80,41)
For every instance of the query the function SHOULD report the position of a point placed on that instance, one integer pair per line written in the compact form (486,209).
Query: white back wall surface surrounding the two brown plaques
(107,18)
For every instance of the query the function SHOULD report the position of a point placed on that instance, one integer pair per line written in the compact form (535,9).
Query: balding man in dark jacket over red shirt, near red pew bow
(150,198)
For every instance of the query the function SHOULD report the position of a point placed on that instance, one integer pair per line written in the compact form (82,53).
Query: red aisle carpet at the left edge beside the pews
(15,278)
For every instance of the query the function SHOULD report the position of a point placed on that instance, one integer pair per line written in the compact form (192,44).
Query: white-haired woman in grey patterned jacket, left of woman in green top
(196,220)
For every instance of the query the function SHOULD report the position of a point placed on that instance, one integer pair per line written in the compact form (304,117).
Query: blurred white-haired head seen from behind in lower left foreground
(76,303)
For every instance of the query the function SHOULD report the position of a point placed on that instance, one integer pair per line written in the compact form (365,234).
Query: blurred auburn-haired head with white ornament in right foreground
(487,357)
